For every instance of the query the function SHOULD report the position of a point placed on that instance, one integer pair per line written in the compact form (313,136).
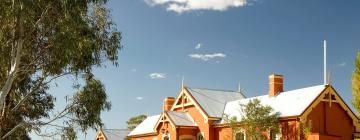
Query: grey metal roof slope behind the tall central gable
(213,101)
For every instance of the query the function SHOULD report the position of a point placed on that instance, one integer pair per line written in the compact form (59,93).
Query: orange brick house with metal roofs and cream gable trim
(196,114)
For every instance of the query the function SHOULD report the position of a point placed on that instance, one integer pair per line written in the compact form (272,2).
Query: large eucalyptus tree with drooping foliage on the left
(42,40)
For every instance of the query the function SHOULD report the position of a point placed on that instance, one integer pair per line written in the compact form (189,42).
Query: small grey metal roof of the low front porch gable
(181,118)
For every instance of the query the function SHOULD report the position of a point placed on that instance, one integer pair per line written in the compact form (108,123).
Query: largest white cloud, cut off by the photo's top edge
(180,6)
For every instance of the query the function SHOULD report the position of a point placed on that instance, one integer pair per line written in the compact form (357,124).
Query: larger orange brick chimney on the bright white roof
(275,84)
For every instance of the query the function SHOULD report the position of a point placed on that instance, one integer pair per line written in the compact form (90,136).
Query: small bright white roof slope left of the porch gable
(147,126)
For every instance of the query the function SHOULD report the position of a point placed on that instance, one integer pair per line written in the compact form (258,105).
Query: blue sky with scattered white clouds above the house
(218,44)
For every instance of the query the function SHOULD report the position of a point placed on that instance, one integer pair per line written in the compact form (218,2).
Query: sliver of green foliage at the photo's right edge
(356,83)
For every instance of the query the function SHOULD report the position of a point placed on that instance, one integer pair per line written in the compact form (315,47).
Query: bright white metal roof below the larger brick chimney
(289,103)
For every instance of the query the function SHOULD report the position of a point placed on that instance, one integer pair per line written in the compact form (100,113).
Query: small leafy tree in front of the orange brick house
(256,119)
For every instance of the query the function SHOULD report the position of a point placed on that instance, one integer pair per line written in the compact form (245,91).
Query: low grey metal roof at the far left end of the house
(115,134)
